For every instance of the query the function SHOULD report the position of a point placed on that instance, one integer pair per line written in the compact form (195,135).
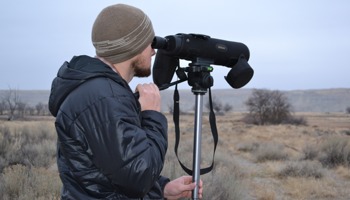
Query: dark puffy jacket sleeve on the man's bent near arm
(127,146)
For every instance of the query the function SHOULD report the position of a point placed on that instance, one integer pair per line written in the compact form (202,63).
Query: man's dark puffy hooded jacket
(107,148)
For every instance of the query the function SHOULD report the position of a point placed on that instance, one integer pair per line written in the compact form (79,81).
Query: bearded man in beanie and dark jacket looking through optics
(111,145)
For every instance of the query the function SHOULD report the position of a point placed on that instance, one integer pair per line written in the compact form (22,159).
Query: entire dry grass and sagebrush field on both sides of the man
(278,162)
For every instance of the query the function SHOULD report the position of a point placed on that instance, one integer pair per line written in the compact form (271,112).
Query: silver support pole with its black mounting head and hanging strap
(200,80)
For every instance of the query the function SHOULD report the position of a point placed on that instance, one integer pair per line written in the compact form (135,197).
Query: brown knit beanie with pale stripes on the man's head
(120,32)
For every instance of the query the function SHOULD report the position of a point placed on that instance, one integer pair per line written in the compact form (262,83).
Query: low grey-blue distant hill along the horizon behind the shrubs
(321,100)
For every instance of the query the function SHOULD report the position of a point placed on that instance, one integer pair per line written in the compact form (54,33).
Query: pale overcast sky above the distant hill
(299,44)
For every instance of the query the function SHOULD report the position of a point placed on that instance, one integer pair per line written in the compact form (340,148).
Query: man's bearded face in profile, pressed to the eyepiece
(142,64)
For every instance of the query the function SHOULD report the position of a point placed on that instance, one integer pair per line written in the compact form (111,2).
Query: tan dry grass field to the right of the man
(270,162)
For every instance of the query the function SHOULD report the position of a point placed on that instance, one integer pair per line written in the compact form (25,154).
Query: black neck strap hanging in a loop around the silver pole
(212,121)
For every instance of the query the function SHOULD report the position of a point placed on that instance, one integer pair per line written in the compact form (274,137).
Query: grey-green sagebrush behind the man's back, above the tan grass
(27,145)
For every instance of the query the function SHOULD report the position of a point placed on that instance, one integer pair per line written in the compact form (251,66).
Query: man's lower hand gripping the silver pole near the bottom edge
(182,188)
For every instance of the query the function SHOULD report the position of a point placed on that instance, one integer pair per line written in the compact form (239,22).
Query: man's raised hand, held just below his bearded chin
(149,96)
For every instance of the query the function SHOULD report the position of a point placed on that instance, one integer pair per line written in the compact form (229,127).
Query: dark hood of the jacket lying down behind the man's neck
(74,73)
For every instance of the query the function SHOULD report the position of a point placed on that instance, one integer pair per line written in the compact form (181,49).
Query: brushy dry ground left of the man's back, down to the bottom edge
(27,150)
